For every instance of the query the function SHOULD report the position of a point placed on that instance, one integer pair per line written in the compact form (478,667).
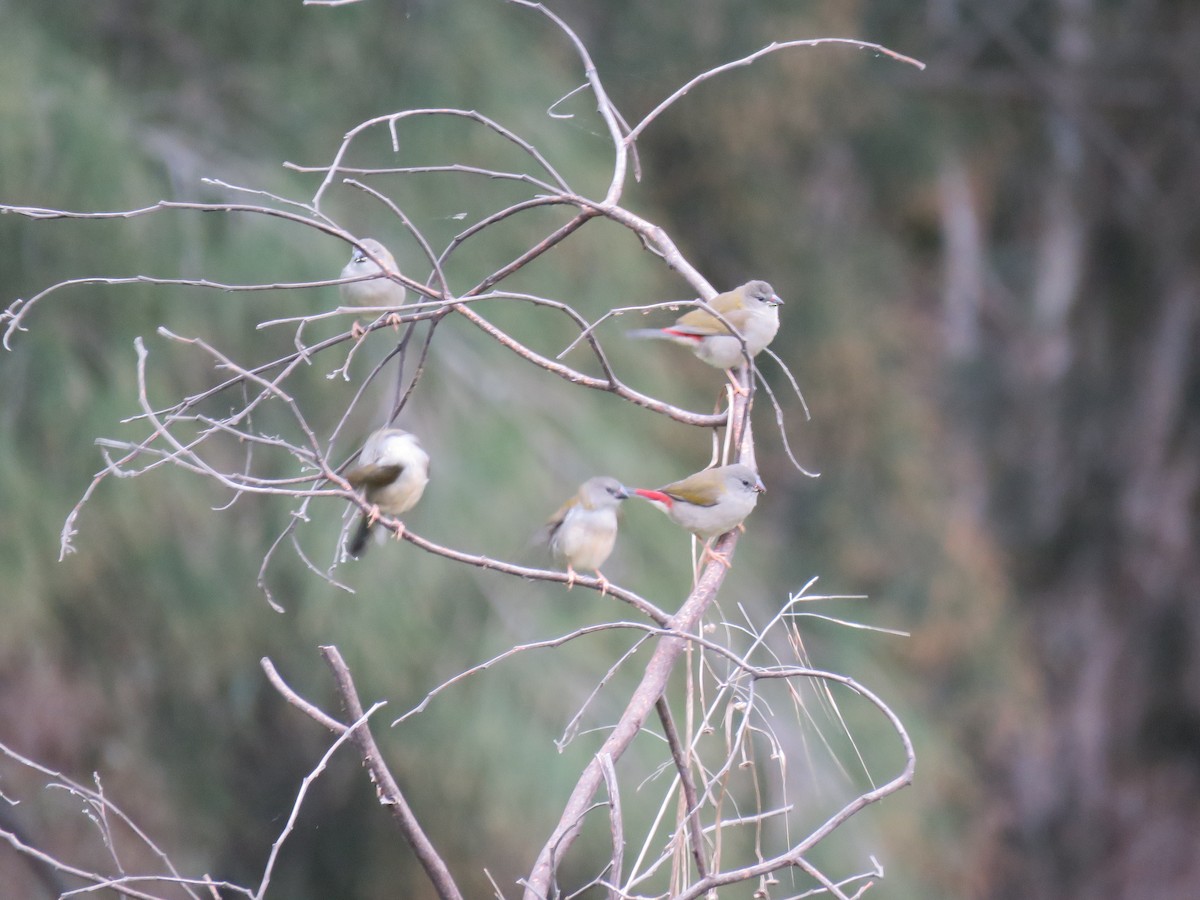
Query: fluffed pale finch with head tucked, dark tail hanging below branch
(392,472)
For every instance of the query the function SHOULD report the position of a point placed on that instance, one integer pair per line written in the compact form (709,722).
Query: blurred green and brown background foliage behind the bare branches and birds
(991,274)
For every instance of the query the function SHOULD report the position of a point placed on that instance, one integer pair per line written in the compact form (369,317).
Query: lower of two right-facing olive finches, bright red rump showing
(711,502)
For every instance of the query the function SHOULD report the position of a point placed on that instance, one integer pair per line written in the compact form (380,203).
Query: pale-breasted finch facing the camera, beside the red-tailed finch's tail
(584,531)
